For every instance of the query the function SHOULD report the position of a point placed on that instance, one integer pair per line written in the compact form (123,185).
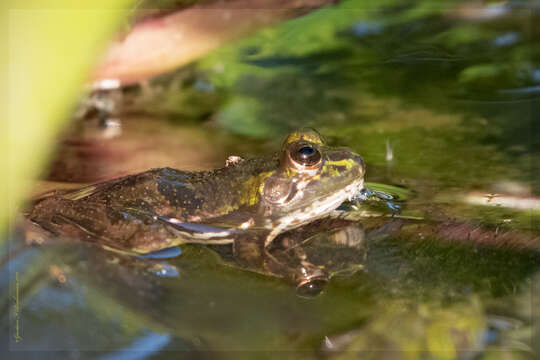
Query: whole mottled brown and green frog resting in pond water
(247,203)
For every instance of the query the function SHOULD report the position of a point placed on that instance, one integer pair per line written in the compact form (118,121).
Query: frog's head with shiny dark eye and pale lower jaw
(312,179)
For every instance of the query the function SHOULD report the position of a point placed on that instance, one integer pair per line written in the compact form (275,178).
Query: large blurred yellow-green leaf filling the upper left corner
(47,50)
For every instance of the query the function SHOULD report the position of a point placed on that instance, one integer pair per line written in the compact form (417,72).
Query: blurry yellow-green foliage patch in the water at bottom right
(431,331)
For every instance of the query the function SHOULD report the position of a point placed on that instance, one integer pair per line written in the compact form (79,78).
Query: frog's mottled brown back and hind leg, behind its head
(120,213)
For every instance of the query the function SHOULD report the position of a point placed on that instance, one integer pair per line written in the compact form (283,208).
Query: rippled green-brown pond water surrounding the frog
(439,99)
